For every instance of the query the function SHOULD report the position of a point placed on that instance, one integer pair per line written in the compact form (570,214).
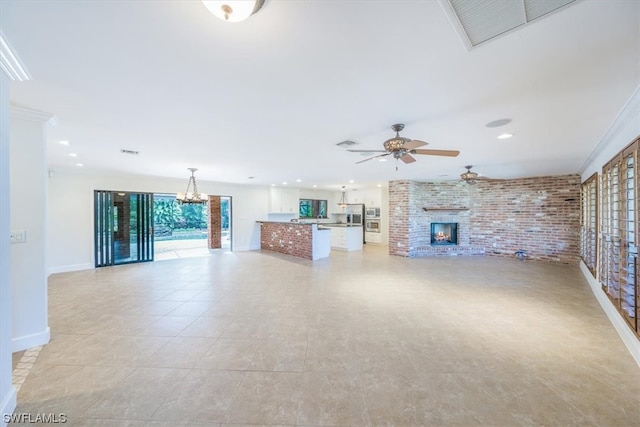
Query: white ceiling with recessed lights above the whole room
(272,96)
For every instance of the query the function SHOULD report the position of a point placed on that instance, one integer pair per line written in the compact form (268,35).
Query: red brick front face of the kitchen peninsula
(287,238)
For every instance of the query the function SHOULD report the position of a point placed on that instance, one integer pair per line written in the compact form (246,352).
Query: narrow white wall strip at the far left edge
(7,392)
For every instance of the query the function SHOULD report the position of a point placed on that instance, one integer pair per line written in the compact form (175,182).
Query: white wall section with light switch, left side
(28,169)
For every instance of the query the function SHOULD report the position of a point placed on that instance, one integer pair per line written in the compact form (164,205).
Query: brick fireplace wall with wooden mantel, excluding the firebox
(538,215)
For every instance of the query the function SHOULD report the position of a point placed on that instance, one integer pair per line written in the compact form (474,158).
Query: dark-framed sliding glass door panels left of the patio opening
(123,227)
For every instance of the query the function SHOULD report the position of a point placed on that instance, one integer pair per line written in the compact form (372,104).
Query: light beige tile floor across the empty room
(360,338)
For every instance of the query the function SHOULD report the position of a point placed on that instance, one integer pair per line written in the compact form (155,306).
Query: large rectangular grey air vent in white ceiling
(479,21)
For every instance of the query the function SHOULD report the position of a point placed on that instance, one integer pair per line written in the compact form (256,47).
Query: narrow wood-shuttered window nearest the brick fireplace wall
(589,223)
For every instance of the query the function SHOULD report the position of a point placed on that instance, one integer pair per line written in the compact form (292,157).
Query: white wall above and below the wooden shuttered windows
(624,130)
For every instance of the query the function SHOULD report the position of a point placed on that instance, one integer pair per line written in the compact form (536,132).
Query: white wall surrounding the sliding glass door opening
(70,244)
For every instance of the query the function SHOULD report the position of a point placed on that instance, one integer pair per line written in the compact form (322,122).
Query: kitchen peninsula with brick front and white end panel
(304,240)
